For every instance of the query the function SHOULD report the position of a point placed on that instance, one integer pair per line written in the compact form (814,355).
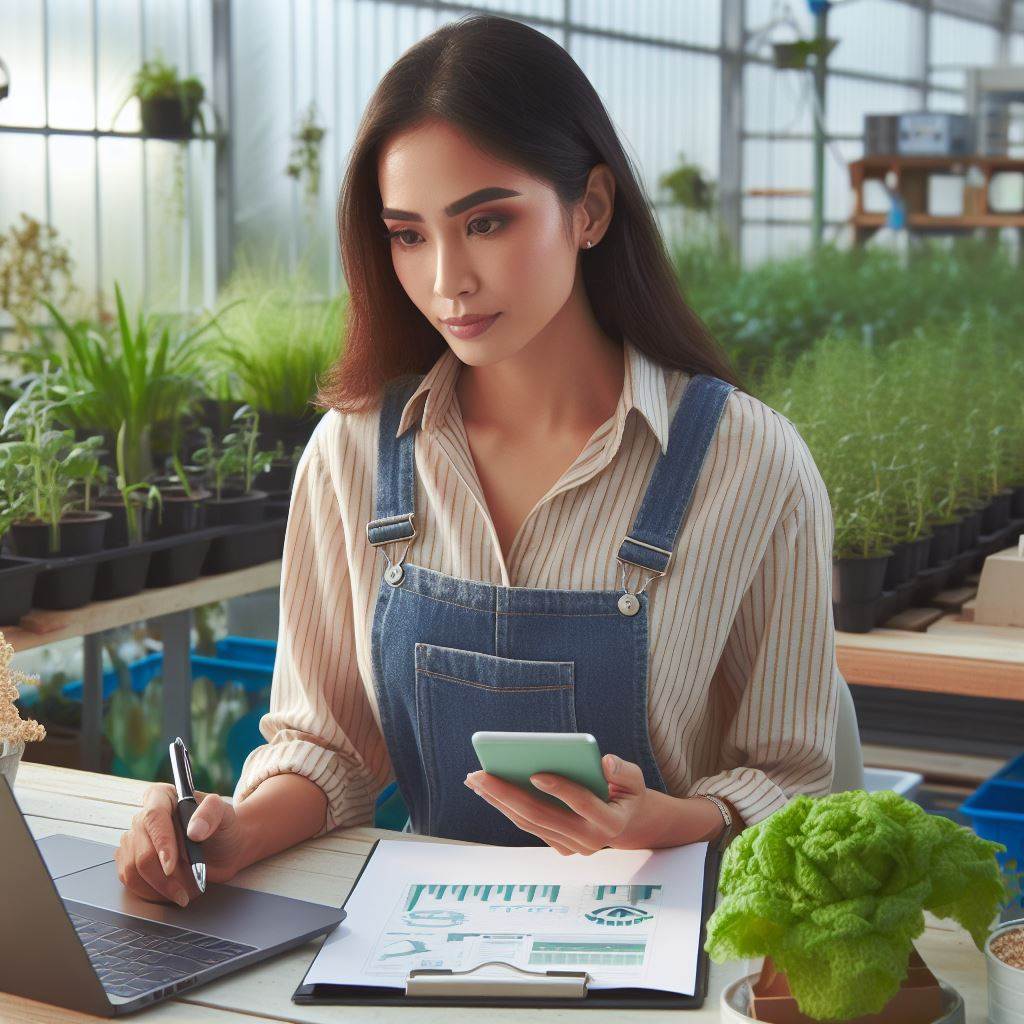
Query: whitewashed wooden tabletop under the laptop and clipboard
(101,808)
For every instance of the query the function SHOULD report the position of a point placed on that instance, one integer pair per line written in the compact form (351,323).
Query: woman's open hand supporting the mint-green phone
(634,818)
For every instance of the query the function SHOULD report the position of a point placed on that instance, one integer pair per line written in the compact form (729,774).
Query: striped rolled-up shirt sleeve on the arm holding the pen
(320,723)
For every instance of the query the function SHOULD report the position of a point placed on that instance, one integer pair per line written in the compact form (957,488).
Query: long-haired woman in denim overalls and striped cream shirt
(482,535)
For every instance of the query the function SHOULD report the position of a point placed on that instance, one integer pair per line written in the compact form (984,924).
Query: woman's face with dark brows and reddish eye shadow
(507,254)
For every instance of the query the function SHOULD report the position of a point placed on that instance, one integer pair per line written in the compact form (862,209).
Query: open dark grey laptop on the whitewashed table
(92,945)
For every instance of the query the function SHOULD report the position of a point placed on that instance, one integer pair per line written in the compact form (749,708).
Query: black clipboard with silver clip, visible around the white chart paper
(519,987)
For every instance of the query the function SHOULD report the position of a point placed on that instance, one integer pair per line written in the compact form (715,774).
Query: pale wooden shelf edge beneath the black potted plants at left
(39,628)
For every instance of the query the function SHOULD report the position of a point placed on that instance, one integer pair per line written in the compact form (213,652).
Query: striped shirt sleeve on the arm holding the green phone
(779,674)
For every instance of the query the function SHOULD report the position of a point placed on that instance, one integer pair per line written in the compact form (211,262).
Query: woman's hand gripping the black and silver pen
(152,860)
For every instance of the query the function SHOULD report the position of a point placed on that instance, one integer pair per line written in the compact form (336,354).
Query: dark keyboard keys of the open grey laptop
(131,963)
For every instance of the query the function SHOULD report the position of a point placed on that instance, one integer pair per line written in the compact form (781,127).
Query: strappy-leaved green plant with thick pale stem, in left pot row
(135,379)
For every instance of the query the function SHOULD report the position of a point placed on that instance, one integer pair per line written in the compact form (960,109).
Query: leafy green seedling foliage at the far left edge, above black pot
(49,462)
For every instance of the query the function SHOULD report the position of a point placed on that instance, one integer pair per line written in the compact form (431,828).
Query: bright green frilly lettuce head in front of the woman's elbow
(834,889)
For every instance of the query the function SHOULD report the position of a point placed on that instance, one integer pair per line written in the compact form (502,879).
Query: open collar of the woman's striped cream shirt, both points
(644,390)
